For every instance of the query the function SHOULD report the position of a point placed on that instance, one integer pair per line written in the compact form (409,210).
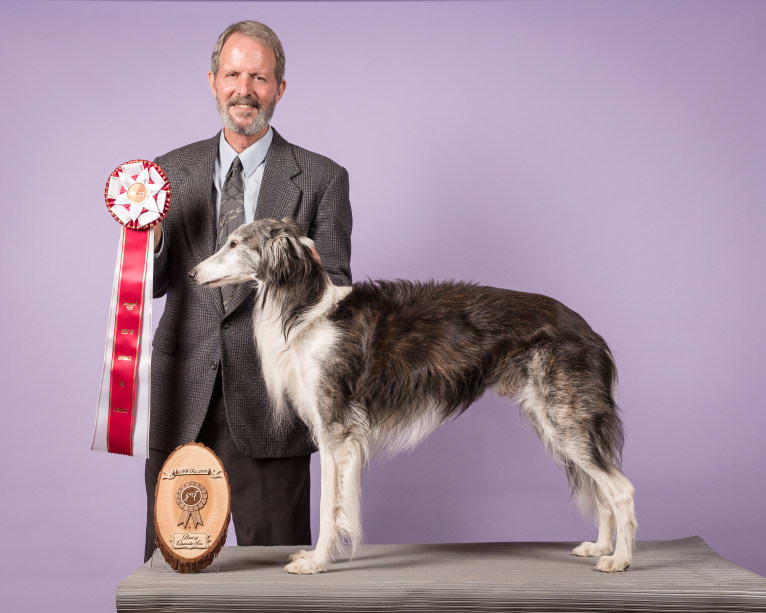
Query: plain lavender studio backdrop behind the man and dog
(608,153)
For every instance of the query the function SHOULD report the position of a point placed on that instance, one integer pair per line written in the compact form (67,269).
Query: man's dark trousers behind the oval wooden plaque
(269,497)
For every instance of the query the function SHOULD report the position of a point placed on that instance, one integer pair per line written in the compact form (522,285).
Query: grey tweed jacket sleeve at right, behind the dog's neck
(331,228)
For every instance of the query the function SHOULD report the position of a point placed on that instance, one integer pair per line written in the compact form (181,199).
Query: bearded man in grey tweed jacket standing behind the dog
(206,378)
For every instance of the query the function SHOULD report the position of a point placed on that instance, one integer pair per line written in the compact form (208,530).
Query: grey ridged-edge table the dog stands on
(679,575)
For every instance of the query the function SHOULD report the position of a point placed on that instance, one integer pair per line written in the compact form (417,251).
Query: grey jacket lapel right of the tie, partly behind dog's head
(277,198)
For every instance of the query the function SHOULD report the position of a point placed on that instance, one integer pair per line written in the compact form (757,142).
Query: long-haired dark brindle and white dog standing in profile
(378,366)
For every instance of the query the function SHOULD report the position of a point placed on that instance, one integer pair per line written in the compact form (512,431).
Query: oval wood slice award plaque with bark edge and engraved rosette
(192,504)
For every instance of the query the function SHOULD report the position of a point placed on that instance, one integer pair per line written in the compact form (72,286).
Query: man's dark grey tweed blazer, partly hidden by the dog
(196,336)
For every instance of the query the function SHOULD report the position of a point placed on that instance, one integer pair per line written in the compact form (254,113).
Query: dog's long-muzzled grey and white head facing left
(269,251)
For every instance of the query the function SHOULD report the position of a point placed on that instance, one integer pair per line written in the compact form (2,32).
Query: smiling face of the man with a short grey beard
(245,88)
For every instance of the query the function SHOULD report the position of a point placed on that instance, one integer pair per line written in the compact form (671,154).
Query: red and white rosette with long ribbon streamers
(138,196)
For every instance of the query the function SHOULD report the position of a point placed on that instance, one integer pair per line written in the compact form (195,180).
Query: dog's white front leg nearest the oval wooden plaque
(311,562)
